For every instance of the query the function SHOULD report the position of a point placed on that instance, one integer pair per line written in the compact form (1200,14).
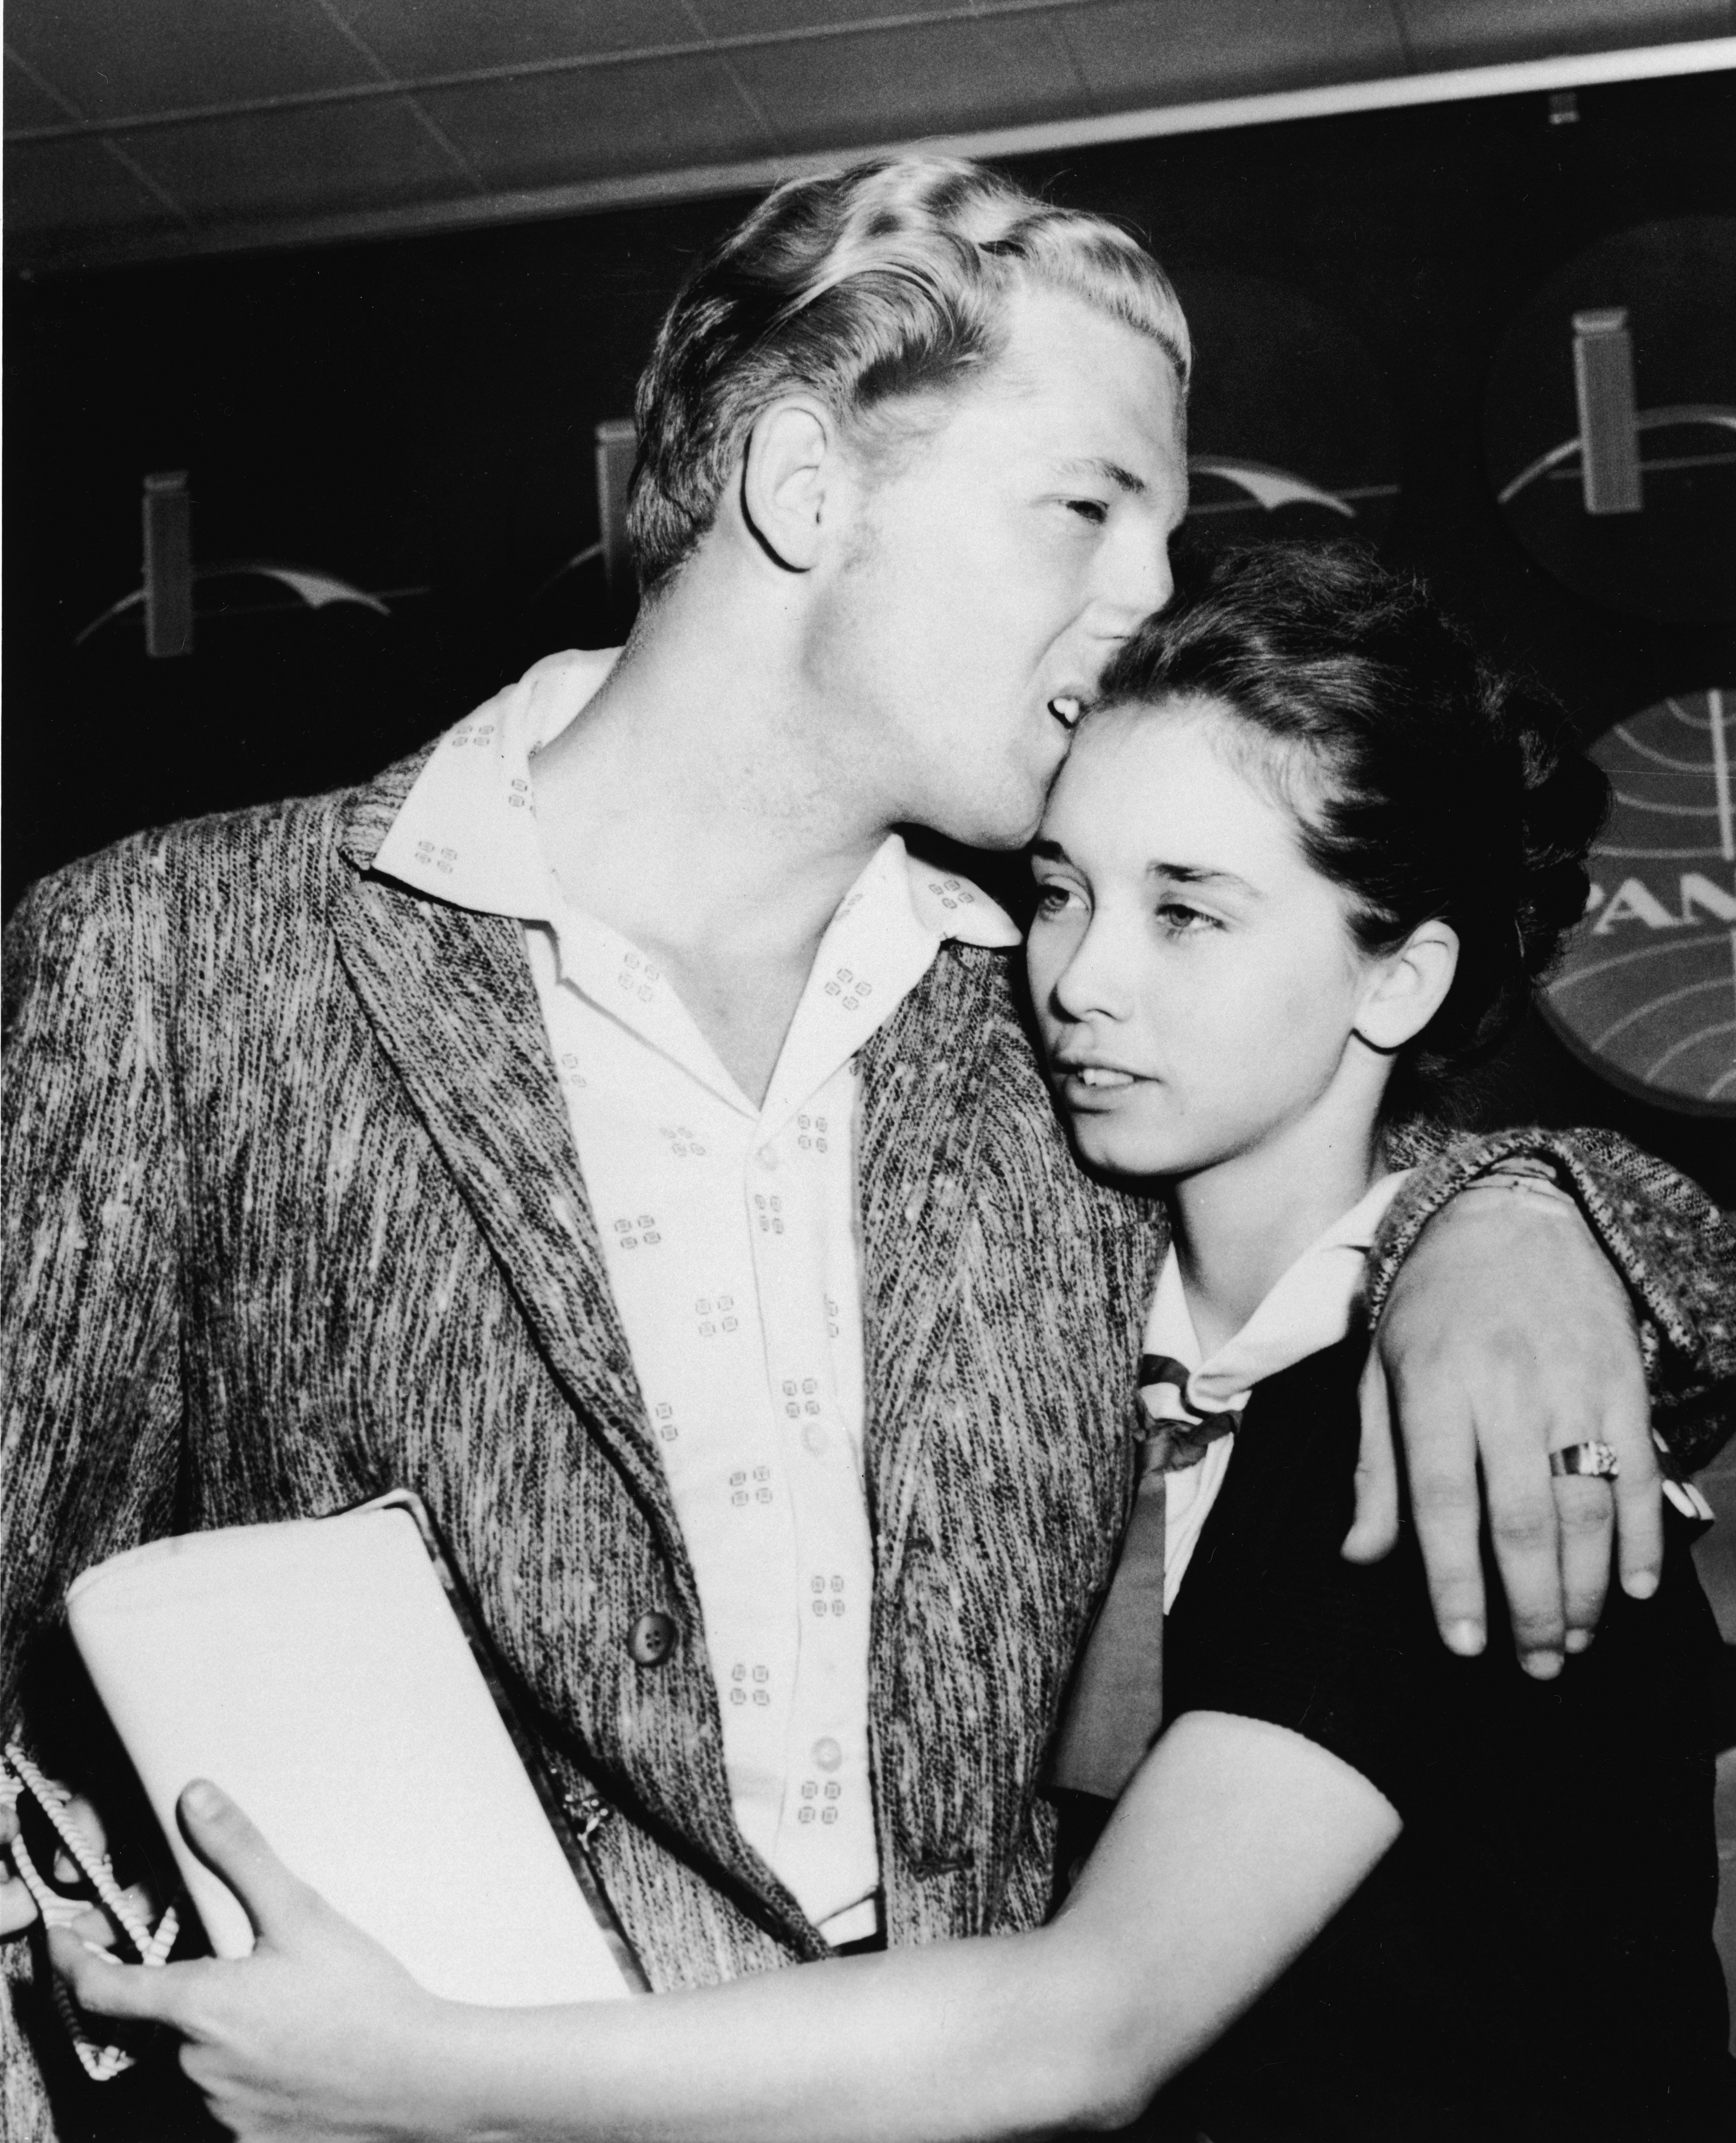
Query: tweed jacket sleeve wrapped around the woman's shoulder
(1660,1231)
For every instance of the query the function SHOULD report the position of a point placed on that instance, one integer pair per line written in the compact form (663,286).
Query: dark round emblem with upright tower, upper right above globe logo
(1611,428)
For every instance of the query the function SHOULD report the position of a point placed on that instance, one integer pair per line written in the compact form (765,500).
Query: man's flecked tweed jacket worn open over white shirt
(295,1216)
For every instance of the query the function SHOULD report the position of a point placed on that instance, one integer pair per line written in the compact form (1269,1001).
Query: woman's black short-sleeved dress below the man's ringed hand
(1533,1960)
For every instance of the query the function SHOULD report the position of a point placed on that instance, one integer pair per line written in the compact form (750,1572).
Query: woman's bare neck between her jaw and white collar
(1242,1225)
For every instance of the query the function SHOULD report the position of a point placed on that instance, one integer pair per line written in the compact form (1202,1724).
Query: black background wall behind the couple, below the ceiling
(419,415)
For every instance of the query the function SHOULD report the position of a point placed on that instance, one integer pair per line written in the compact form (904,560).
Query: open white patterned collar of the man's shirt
(468,828)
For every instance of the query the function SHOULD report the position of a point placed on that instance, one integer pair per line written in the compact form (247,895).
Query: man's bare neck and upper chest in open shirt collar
(702,807)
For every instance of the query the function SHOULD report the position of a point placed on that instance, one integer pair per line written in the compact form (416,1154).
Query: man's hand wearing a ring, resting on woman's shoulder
(1508,1336)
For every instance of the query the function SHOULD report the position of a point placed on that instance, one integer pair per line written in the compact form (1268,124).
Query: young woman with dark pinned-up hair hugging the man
(1296,880)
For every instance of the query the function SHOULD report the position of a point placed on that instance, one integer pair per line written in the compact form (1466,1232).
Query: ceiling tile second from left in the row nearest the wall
(286,164)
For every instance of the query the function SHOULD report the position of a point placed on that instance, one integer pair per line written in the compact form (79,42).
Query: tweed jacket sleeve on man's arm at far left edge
(93,1220)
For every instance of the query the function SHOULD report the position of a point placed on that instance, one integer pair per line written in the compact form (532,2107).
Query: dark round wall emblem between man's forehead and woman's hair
(1289,421)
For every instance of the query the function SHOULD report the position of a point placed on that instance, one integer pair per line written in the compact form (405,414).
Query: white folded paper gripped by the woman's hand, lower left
(318,1673)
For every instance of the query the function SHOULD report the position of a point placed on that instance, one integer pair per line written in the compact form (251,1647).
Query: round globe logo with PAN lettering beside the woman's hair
(1647,993)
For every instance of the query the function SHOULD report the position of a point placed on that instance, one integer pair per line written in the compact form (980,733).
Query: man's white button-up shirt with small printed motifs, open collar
(732,1248)
